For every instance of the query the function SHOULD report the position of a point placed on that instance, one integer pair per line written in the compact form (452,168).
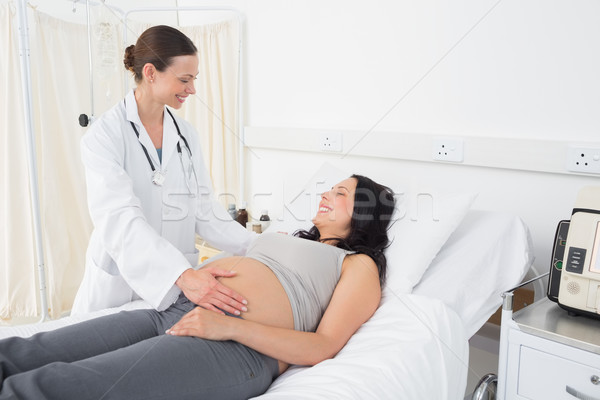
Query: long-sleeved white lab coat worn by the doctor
(144,234)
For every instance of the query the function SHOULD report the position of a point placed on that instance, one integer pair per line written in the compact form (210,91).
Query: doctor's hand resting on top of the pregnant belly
(202,288)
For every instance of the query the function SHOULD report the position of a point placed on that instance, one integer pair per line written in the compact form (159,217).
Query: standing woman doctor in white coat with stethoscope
(149,192)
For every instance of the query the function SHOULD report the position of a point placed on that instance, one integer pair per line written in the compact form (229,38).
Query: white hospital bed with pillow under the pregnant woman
(445,280)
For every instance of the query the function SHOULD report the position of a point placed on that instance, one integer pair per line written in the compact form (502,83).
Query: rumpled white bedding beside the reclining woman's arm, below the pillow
(414,347)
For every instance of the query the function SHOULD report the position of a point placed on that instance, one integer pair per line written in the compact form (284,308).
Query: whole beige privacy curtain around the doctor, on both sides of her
(60,85)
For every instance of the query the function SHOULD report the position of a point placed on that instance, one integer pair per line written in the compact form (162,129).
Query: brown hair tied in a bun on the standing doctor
(157,45)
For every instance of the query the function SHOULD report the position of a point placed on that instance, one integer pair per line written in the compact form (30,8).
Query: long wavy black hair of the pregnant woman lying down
(373,208)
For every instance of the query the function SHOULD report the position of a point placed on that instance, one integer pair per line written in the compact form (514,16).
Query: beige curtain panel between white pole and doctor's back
(61,92)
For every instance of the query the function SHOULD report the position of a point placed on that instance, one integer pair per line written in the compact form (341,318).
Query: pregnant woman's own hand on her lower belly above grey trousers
(203,324)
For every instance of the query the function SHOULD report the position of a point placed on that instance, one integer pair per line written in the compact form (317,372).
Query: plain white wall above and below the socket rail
(507,69)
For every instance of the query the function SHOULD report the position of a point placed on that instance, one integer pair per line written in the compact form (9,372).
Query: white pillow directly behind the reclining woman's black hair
(419,229)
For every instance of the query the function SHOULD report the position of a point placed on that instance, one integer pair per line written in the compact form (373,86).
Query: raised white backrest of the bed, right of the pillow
(488,254)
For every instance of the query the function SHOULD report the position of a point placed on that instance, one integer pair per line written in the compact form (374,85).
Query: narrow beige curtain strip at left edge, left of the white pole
(17,263)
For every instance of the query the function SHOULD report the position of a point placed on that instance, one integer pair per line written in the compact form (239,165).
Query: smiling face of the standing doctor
(173,85)
